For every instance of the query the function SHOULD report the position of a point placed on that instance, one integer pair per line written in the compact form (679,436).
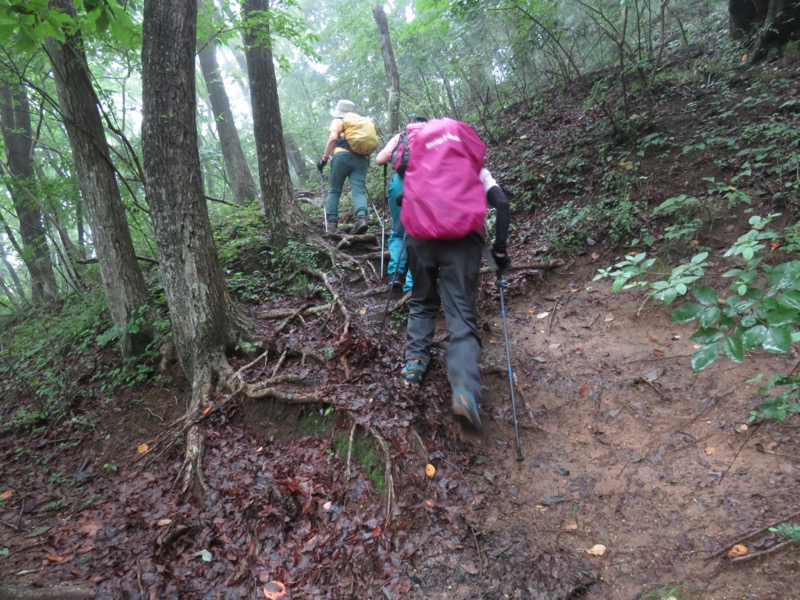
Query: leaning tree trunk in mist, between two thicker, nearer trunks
(241,180)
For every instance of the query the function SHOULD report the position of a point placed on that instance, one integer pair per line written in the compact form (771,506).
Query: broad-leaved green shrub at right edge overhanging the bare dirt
(761,311)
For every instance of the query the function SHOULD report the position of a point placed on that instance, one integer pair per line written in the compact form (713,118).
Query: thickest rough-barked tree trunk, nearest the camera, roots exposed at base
(199,305)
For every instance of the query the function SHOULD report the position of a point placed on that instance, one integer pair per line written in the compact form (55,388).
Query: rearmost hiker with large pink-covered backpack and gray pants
(445,192)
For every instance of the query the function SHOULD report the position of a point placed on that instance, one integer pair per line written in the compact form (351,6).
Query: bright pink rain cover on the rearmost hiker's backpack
(443,196)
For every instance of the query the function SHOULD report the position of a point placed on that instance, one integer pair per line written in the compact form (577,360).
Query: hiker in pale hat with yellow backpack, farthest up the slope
(351,139)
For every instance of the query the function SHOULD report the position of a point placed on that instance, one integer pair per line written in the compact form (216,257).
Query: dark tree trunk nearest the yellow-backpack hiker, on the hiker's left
(276,185)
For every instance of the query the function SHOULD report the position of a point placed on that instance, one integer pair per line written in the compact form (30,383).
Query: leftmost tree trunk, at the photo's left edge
(15,120)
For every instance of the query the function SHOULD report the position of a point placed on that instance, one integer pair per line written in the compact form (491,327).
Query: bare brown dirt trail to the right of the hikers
(629,449)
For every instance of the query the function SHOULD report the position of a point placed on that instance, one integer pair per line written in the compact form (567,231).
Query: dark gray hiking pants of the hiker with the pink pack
(455,265)
